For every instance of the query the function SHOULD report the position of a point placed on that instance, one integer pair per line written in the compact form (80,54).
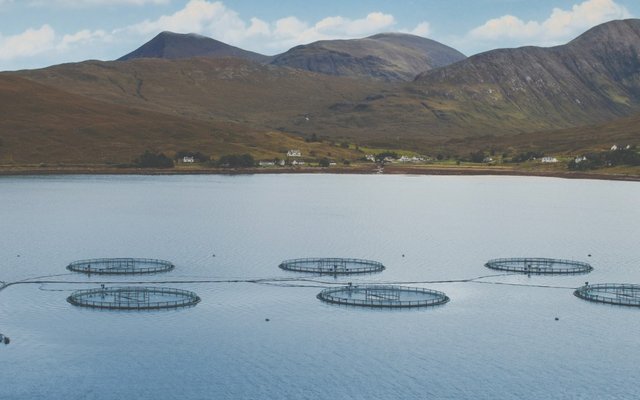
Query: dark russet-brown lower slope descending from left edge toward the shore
(40,124)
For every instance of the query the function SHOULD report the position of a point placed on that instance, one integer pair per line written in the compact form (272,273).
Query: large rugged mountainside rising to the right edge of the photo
(591,80)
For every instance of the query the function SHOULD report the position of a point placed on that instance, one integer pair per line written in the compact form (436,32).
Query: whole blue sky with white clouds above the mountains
(39,33)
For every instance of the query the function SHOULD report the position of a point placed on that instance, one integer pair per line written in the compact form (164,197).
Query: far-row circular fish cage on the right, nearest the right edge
(539,266)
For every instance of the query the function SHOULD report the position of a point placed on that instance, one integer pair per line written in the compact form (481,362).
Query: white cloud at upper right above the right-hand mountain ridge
(559,27)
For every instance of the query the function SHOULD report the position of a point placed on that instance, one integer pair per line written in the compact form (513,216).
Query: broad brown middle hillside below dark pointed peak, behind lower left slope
(262,96)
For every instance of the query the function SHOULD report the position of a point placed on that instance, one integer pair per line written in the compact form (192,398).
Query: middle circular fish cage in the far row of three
(333,266)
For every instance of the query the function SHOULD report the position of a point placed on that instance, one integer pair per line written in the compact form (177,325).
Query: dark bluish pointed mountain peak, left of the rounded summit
(175,46)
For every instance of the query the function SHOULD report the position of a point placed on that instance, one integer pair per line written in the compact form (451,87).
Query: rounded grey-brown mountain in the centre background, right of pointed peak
(387,56)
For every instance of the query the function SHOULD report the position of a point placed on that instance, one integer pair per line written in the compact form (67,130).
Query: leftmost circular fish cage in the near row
(133,298)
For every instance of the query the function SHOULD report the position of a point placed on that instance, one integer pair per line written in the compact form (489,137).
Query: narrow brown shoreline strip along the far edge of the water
(358,170)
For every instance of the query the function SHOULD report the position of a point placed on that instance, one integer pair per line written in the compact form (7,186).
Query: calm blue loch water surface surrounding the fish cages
(492,341)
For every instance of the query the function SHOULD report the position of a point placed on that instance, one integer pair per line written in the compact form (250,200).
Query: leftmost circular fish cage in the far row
(120,266)
